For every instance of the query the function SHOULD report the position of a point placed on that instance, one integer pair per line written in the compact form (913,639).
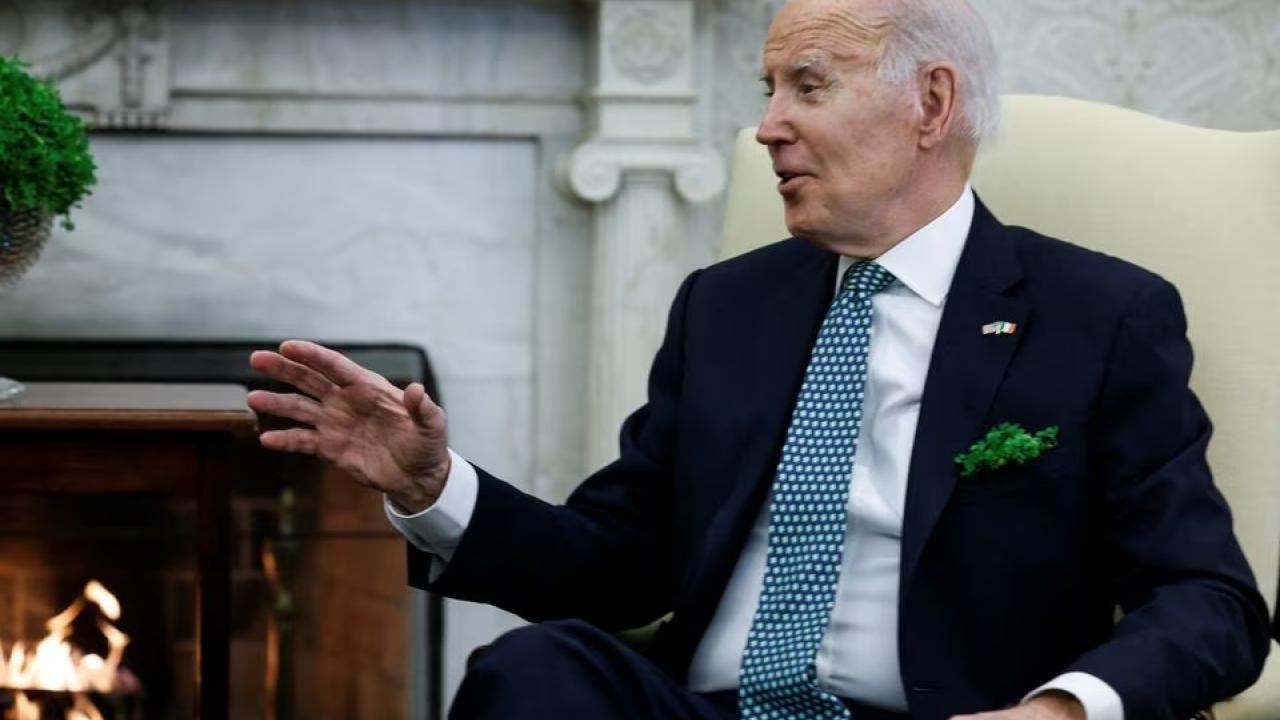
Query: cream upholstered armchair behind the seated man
(1199,207)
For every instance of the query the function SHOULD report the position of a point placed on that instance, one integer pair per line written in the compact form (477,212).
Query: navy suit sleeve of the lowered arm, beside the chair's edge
(1195,628)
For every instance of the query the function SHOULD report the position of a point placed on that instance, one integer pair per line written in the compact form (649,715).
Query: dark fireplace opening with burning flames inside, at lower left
(139,549)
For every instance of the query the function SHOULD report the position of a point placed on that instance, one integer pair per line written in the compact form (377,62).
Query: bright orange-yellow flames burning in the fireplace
(57,667)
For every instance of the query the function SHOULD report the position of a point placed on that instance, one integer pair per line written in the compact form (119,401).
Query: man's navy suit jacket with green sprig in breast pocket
(1008,578)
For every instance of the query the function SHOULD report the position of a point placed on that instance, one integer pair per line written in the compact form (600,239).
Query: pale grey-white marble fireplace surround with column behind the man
(477,179)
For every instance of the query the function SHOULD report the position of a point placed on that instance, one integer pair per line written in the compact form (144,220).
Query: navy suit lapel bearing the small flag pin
(966,371)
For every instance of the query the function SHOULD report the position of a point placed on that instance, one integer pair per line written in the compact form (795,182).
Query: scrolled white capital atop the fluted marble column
(595,171)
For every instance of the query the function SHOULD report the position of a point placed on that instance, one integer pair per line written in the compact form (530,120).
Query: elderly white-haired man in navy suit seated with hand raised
(792,493)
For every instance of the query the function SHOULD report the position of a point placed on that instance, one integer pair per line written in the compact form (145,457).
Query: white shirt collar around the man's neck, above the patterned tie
(926,261)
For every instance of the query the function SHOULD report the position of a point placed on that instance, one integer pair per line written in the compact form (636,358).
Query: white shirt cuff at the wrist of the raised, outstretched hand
(440,528)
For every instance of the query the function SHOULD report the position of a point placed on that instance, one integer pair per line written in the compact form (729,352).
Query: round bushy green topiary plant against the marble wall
(45,165)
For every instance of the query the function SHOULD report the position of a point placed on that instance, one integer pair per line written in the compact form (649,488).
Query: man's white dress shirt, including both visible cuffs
(858,657)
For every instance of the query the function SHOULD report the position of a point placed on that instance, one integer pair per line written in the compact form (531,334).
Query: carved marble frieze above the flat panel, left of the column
(116,67)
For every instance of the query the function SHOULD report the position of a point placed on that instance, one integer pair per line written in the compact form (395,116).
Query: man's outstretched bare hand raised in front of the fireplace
(390,440)
